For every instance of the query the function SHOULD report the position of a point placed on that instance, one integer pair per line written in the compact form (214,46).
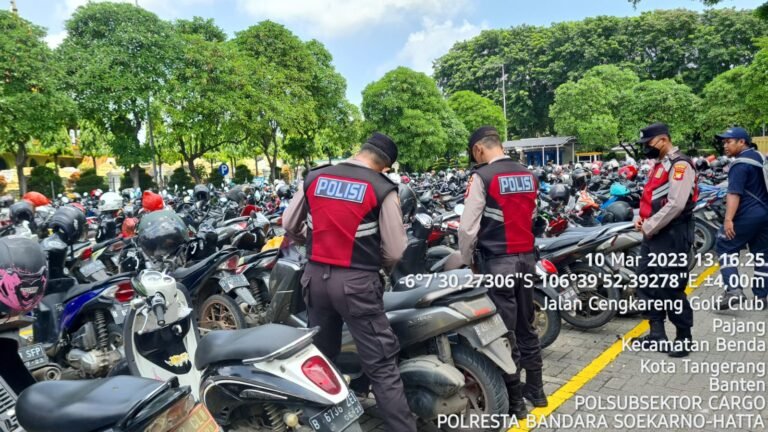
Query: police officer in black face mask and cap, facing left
(666,221)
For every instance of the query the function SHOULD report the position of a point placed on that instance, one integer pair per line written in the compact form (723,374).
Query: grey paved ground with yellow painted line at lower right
(582,367)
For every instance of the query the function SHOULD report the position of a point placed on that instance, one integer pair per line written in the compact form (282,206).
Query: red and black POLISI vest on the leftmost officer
(343,221)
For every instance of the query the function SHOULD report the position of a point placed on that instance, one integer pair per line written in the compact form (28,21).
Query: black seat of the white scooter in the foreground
(238,345)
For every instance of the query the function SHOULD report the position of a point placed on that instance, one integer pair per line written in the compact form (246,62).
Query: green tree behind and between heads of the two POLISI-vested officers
(407,106)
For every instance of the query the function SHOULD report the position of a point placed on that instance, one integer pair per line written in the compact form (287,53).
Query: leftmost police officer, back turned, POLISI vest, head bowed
(353,228)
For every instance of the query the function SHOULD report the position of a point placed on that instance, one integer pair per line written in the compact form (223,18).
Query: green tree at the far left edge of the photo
(30,104)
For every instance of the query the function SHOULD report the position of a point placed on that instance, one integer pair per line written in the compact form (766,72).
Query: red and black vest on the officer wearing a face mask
(656,190)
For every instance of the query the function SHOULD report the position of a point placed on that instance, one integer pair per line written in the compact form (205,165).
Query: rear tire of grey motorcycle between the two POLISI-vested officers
(486,375)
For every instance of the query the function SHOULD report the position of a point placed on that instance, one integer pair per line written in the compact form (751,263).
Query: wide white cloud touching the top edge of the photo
(342,17)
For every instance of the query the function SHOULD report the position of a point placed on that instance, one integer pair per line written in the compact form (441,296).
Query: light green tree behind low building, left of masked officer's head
(589,108)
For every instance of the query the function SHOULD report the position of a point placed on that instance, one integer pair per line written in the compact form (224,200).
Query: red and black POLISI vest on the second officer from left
(510,205)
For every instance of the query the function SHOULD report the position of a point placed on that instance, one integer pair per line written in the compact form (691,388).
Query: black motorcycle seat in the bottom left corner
(85,405)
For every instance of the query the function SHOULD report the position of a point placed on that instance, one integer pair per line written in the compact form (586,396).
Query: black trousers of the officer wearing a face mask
(673,239)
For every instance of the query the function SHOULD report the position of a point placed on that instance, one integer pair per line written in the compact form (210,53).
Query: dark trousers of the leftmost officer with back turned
(335,296)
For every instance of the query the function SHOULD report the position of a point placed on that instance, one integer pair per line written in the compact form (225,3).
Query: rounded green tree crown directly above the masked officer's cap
(662,100)
